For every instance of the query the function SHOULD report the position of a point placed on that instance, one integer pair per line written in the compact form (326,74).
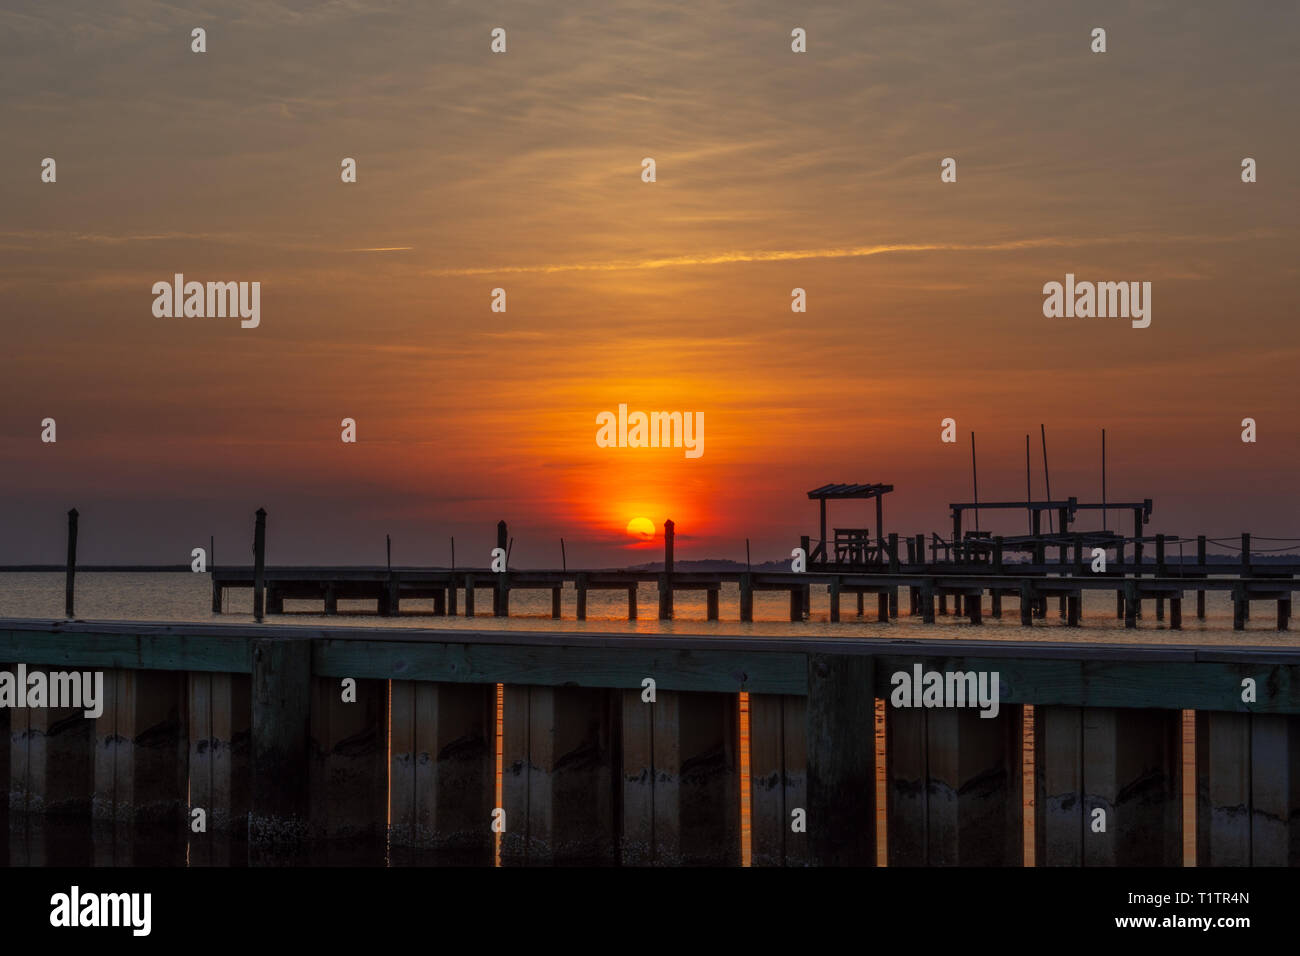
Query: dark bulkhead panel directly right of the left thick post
(349,759)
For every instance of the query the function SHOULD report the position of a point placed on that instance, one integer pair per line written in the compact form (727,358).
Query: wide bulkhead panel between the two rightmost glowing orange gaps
(1124,762)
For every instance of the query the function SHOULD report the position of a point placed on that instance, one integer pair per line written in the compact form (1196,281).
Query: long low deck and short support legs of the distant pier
(972,589)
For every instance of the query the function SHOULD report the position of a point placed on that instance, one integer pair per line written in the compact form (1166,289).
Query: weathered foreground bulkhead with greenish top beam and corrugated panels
(255,726)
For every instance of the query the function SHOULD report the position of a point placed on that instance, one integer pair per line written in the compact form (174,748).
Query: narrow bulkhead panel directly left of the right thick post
(778,773)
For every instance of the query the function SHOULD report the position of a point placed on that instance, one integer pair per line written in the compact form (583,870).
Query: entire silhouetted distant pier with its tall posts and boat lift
(968,569)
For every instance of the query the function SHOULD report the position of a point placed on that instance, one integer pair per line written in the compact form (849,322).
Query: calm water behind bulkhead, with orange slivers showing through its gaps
(187,598)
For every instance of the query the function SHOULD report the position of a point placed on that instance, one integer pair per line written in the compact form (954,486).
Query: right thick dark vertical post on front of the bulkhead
(842,759)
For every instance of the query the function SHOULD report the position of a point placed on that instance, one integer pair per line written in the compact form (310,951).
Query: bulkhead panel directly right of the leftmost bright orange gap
(560,781)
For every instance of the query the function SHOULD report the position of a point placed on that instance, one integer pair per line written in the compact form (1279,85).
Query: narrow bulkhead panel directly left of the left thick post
(220,726)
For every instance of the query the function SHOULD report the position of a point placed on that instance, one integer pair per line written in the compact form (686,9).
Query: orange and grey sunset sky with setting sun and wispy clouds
(523,171)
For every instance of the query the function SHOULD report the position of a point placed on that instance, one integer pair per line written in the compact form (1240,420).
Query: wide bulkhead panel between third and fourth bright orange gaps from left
(954,782)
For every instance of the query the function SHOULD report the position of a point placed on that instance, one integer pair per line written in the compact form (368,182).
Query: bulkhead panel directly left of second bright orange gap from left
(681,780)
